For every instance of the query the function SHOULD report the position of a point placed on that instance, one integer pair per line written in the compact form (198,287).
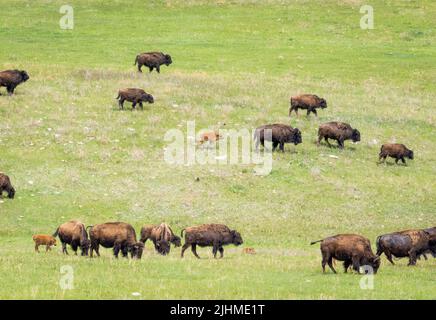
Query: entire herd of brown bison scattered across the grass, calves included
(354,250)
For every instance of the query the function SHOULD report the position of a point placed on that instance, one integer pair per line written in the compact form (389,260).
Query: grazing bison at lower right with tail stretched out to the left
(353,249)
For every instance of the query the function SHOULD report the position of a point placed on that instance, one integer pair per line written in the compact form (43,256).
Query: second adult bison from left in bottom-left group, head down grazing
(118,235)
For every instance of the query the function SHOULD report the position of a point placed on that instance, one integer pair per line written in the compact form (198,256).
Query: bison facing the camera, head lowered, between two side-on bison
(161,235)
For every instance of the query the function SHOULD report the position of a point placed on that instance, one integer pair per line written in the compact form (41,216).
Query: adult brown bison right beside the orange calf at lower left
(73,233)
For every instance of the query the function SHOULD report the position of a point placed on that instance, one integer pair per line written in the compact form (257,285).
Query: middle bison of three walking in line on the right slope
(338,131)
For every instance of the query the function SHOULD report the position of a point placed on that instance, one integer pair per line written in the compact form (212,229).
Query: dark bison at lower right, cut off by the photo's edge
(408,243)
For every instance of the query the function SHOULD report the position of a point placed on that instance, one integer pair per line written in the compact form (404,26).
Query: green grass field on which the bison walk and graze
(71,154)
